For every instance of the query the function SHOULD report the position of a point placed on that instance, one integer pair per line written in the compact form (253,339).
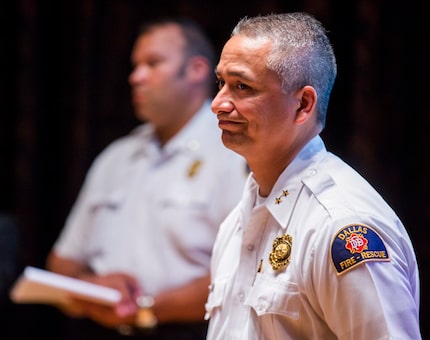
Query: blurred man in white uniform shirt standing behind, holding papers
(148,212)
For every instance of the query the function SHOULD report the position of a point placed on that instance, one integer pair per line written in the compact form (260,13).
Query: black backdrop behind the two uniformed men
(64,96)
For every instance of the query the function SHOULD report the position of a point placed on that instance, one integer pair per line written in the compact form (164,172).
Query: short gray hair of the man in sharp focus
(301,52)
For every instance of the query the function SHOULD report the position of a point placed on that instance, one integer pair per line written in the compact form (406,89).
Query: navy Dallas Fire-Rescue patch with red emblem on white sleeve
(355,244)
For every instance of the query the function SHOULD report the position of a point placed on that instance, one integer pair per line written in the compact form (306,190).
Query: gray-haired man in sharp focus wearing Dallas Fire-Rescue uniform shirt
(312,251)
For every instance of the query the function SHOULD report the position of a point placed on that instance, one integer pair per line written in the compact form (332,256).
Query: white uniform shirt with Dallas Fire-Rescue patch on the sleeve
(327,209)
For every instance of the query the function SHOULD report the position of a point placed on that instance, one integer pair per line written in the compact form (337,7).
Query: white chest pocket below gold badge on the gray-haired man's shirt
(269,295)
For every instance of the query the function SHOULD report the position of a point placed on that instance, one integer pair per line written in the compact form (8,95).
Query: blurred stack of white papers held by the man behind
(44,287)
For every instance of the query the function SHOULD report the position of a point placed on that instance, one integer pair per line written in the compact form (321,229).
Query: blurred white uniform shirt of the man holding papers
(155,212)
